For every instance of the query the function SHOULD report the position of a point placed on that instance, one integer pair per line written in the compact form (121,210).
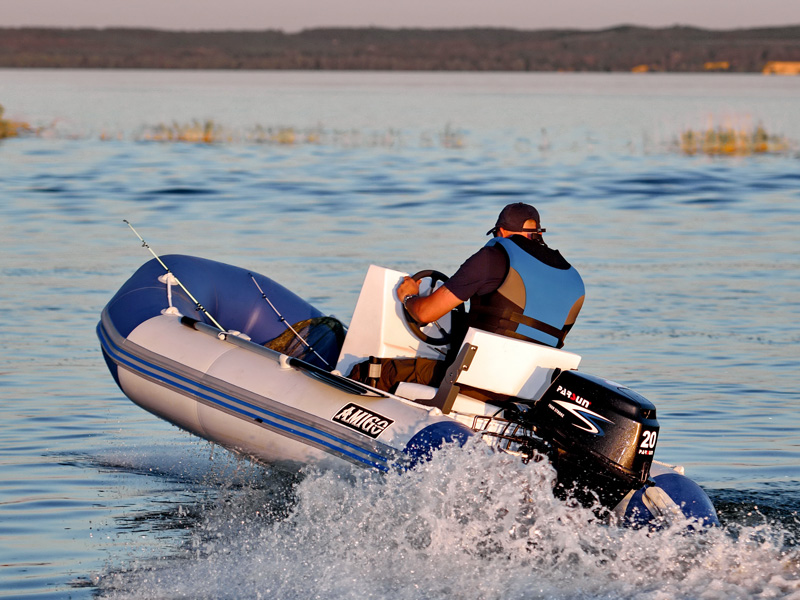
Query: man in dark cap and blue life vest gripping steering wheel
(516,284)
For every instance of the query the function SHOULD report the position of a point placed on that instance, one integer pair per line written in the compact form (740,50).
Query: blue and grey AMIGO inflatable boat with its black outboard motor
(234,357)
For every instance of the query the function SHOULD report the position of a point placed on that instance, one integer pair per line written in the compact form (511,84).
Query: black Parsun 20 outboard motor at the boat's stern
(601,436)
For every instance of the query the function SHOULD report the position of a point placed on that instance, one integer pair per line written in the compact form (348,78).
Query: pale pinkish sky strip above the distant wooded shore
(295,15)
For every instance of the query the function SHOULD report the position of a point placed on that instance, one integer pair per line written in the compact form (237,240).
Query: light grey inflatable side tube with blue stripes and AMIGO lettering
(229,394)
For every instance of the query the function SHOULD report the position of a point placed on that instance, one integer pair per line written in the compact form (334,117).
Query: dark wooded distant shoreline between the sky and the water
(619,49)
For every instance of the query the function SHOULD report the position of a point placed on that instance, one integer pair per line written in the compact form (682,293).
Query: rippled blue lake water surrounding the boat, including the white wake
(690,265)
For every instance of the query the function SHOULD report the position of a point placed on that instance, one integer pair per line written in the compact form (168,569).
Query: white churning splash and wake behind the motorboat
(468,524)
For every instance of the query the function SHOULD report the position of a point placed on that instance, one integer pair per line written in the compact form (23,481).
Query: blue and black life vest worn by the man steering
(537,301)
